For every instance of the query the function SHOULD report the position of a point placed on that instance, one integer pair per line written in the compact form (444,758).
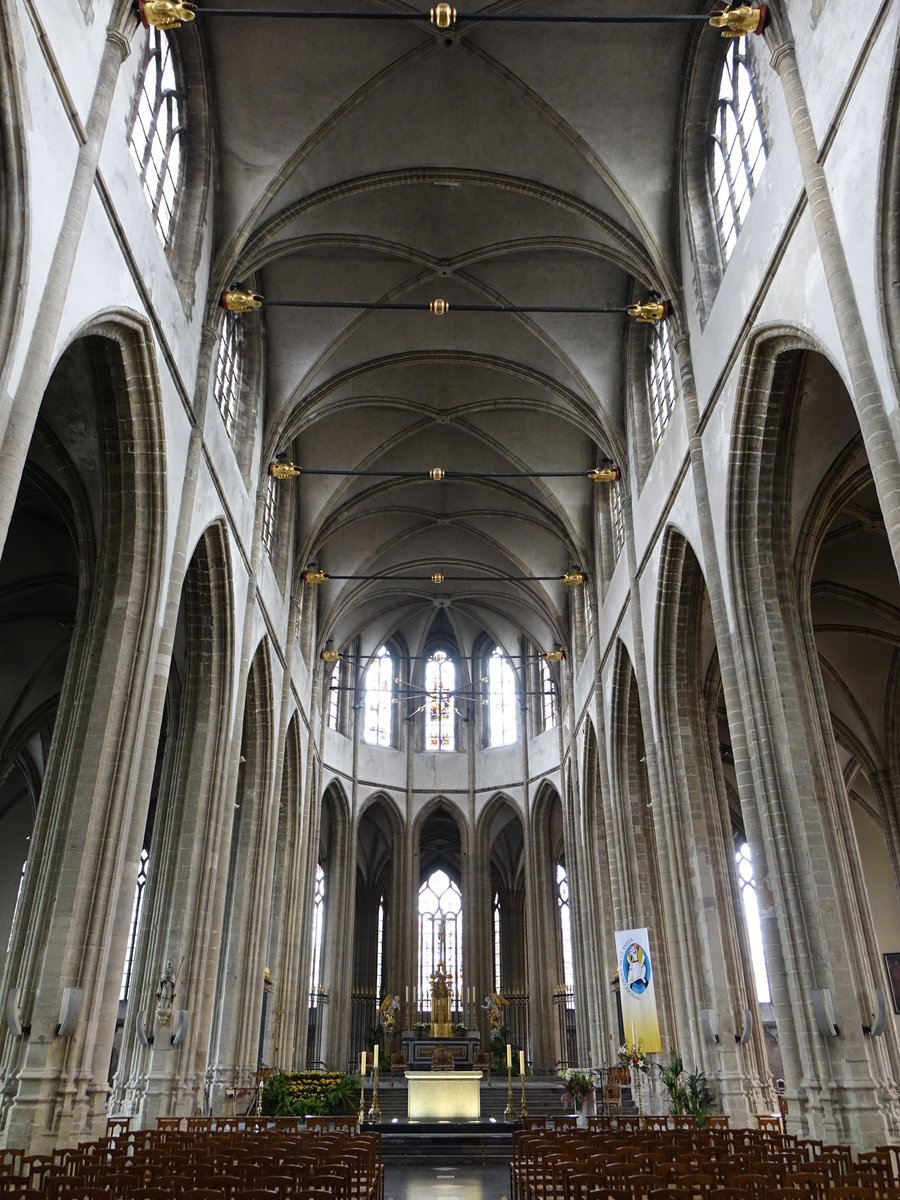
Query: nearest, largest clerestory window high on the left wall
(155,135)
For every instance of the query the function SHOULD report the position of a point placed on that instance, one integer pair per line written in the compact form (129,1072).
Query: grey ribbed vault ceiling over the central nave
(525,165)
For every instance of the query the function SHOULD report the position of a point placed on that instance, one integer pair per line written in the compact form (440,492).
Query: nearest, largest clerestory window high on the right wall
(739,146)
